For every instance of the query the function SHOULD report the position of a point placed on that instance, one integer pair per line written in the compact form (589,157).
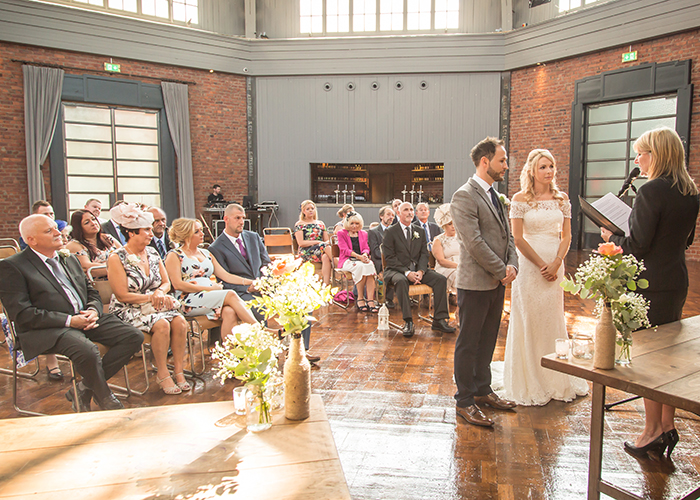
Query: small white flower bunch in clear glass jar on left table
(249,354)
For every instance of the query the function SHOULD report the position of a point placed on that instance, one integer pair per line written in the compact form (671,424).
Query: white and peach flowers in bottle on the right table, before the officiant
(611,278)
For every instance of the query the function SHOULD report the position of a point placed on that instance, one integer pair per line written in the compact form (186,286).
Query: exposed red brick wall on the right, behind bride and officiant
(541,99)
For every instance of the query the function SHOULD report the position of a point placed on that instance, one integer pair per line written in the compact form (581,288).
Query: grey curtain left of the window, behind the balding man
(42,98)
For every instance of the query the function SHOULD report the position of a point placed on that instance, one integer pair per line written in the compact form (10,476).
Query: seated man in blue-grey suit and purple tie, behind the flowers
(240,252)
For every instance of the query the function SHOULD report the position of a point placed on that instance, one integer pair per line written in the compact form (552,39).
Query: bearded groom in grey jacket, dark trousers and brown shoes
(488,262)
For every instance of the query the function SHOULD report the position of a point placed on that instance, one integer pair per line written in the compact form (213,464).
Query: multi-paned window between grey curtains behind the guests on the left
(111,154)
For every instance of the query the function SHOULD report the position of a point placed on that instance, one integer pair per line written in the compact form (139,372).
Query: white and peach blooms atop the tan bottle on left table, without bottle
(290,291)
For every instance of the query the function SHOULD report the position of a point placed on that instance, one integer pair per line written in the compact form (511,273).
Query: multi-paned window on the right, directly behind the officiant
(610,133)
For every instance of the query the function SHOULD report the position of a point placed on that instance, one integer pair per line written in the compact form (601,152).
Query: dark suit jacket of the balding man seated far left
(37,302)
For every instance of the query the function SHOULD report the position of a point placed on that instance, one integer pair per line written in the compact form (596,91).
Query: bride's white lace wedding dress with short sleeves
(537,313)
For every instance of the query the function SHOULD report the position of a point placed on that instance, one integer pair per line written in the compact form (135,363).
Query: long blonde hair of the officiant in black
(667,157)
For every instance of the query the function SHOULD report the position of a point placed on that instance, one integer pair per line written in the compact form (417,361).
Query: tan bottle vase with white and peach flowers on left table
(290,292)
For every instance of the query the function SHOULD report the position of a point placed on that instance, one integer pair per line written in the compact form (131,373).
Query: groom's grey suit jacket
(486,243)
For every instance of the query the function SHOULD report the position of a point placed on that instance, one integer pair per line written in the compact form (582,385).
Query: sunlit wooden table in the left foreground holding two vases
(193,450)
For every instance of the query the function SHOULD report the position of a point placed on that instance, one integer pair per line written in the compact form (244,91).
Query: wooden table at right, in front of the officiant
(665,367)
